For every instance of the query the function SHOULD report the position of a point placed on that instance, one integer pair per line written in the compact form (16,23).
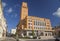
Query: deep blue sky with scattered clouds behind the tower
(42,8)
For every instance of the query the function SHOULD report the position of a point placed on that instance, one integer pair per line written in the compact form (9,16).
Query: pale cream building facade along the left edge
(3,25)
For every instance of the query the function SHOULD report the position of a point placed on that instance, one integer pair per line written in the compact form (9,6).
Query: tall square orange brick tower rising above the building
(24,10)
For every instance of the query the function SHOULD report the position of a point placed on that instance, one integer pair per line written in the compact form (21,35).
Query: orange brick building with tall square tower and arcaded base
(32,24)
